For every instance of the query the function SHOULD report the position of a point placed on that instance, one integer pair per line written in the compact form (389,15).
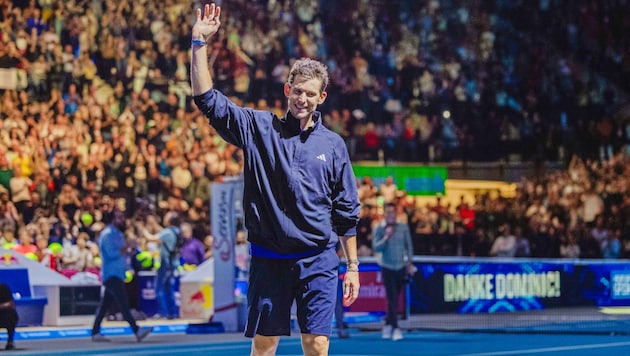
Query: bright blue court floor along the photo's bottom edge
(360,343)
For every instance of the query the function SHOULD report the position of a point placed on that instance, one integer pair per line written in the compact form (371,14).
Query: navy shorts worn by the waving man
(275,283)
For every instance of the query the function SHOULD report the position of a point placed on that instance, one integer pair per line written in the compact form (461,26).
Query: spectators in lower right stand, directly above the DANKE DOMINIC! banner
(580,212)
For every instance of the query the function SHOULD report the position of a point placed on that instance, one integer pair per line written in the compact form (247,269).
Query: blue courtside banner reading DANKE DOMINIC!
(469,285)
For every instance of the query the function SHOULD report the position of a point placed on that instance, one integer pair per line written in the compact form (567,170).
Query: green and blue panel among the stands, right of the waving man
(415,180)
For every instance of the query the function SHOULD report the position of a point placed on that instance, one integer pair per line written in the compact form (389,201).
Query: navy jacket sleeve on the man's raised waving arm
(233,123)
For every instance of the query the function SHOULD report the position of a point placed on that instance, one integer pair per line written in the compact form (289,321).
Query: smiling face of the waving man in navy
(303,96)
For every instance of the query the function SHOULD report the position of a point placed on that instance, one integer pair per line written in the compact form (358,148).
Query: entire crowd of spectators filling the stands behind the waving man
(96,114)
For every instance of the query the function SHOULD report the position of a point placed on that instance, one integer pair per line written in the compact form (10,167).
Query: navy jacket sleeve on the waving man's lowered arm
(345,198)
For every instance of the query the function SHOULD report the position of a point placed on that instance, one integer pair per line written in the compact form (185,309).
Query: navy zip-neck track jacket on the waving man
(300,192)
